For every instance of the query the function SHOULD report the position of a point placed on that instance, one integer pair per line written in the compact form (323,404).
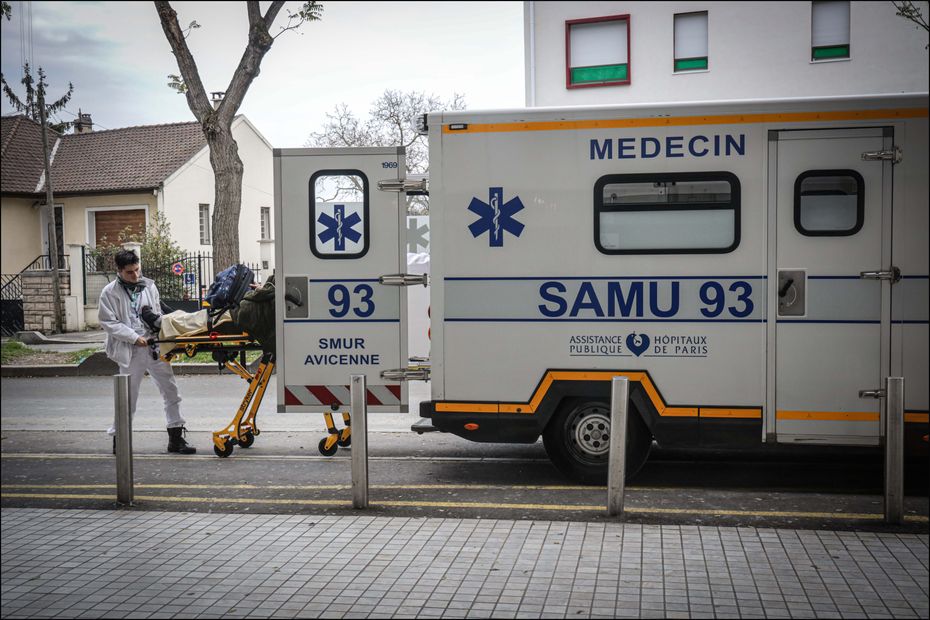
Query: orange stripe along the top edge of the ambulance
(678,121)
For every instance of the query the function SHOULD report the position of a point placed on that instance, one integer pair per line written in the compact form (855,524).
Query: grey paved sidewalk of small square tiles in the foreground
(115,564)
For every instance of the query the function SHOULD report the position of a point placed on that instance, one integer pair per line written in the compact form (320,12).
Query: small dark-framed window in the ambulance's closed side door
(828,203)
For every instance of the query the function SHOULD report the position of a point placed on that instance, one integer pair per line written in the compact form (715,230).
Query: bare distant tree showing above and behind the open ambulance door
(391,122)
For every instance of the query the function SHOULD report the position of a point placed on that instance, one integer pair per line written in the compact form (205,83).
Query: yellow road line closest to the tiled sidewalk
(858,516)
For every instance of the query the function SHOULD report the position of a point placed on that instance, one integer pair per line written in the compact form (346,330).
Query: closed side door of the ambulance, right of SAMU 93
(832,325)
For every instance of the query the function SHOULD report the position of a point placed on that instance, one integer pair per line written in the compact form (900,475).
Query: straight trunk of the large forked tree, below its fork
(227,168)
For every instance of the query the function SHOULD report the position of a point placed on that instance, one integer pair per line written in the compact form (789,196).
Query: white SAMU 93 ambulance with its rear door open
(749,265)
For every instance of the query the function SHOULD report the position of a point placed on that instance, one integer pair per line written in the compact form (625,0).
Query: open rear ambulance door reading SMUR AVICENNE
(337,235)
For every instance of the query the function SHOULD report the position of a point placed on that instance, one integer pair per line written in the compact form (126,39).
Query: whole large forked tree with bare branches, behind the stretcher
(217,124)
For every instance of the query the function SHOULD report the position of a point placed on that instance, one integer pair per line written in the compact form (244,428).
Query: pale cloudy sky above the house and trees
(117,57)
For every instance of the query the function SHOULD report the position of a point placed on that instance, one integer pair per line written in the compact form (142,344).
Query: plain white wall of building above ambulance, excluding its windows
(755,50)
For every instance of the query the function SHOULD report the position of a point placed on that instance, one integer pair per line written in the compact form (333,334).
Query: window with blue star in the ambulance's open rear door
(339,214)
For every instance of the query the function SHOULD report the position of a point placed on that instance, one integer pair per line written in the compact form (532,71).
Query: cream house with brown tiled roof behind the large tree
(106,180)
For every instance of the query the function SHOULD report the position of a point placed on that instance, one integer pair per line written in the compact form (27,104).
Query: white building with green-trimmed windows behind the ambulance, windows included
(590,53)
